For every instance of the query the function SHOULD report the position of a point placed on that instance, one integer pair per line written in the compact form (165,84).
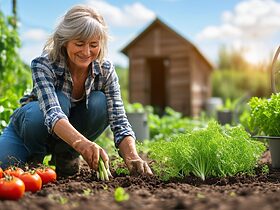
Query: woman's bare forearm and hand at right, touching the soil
(135,164)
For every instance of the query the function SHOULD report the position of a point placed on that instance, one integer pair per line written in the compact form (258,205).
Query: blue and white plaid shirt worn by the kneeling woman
(50,77)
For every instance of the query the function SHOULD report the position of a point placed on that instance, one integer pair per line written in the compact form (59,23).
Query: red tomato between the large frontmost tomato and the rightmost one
(32,181)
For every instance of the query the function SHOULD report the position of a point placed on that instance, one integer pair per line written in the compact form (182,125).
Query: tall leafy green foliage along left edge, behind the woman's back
(14,75)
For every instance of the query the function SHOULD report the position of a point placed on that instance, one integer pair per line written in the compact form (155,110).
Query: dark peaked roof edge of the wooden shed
(149,28)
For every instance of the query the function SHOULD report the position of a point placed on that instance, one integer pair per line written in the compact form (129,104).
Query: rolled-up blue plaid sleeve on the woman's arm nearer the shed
(117,117)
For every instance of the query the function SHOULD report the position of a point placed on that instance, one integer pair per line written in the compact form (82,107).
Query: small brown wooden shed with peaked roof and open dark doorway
(165,69)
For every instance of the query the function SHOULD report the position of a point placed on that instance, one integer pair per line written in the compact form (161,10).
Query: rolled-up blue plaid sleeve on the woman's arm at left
(44,79)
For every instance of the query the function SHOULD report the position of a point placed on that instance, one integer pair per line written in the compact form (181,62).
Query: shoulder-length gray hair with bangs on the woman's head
(81,22)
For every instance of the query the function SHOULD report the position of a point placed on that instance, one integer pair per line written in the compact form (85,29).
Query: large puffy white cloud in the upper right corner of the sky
(252,25)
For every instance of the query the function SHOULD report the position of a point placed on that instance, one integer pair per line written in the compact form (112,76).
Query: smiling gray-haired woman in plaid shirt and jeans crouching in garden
(75,96)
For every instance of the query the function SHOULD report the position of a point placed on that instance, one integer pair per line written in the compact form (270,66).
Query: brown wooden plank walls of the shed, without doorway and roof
(186,79)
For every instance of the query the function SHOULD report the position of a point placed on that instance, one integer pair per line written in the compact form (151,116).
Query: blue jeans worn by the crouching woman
(26,137)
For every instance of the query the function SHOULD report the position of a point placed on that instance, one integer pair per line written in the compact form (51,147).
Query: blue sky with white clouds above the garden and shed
(249,26)
